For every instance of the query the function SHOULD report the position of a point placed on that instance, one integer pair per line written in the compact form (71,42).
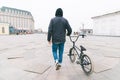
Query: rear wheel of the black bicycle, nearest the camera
(86,64)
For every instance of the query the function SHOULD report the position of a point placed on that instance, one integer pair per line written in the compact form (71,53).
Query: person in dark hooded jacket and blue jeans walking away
(57,35)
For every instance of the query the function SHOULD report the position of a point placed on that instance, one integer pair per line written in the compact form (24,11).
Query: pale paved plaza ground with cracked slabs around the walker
(29,57)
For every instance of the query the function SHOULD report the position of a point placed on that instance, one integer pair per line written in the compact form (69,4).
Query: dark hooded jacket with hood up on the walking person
(57,28)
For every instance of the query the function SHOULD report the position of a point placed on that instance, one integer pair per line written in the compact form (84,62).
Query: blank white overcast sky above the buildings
(77,12)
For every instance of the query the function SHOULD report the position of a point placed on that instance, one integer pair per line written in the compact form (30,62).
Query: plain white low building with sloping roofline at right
(107,24)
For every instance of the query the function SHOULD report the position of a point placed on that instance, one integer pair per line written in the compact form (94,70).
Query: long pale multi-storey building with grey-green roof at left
(20,21)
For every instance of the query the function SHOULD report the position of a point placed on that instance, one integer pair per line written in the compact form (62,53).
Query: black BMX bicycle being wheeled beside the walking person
(83,59)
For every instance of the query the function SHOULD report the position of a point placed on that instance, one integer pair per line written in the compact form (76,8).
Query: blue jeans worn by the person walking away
(57,50)
